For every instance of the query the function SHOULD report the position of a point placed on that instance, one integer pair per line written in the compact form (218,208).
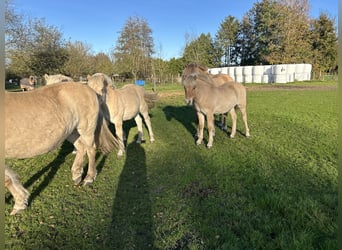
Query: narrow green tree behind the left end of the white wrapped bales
(226,39)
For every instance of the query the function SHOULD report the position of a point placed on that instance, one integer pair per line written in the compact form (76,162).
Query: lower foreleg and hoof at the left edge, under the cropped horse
(19,193)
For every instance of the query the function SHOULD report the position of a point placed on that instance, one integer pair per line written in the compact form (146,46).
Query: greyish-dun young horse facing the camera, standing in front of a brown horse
(209,99)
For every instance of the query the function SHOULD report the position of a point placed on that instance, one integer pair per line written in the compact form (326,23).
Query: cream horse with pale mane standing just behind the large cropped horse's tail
(123,104)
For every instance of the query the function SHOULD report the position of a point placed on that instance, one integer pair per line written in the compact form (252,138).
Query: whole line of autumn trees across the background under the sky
(272,32)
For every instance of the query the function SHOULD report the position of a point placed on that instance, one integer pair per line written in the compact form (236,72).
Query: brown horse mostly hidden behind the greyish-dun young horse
(218,79)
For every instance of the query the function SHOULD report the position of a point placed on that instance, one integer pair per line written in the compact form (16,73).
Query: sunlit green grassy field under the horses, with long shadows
(275,190)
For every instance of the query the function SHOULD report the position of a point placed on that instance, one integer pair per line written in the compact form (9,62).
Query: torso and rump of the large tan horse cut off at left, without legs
(38,121)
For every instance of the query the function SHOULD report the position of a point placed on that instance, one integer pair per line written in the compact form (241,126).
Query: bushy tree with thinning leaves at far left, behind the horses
(40,51)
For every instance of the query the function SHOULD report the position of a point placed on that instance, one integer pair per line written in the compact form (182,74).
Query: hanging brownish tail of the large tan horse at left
(104,139)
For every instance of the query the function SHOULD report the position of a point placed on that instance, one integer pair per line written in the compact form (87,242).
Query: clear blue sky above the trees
(98,23)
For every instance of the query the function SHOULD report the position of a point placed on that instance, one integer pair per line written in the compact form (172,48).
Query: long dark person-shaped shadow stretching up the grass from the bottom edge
(131,226)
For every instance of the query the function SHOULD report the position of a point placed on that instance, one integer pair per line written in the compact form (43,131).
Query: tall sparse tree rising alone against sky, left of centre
(134,49)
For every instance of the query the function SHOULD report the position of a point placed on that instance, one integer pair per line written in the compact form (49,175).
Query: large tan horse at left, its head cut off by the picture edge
(65,112)
